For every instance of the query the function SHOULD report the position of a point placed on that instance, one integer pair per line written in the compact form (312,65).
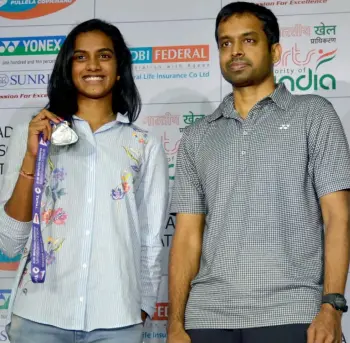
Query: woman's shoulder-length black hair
(61,91)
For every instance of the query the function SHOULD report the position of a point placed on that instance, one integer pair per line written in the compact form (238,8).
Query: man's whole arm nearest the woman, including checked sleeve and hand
(188,202)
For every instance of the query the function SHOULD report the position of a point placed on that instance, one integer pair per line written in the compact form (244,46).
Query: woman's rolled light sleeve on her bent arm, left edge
(13,234)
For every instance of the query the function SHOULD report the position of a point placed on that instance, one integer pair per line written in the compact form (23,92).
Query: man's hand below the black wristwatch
(326,327)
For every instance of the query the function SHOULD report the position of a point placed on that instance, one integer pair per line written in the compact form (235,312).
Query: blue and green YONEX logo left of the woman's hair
(39,45)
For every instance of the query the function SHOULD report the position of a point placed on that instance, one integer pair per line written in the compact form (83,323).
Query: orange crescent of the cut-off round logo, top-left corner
(39,10)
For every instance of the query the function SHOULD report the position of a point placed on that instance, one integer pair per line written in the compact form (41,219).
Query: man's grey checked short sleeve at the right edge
(329,156)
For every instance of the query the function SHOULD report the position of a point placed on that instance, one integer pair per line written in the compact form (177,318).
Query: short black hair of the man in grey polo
(269,20)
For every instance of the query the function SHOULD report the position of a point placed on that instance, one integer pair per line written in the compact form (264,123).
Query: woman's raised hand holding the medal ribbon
(39,124)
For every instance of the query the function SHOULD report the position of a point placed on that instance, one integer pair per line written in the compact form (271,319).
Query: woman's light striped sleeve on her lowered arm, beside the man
(152,199)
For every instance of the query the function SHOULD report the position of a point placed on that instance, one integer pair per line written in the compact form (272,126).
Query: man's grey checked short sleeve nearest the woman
(188,195)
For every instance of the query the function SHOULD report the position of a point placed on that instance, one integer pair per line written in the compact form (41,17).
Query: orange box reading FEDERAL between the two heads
(186,53)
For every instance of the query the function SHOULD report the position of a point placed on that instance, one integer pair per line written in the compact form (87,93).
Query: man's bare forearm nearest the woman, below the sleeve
(183,265)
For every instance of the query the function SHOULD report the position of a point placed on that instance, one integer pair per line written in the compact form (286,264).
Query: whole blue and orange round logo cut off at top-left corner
(29,9)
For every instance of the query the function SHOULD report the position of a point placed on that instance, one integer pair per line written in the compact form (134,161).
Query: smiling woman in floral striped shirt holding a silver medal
(85,197)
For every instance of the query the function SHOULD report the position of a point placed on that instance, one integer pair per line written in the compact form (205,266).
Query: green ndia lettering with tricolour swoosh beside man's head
(310,79)
